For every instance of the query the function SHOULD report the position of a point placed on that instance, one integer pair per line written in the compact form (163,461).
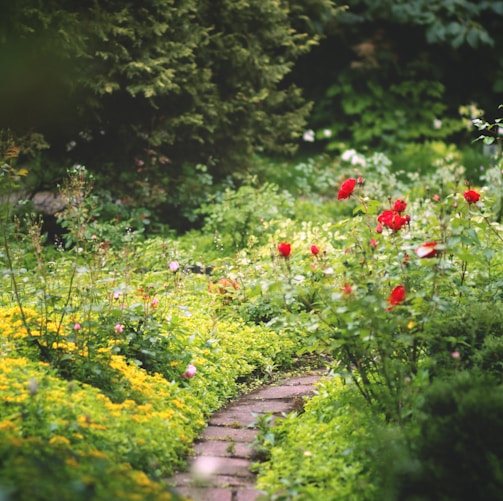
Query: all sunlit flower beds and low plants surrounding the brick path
(116,347)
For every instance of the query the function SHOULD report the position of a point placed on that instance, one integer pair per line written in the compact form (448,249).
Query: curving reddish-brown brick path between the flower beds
(220,468)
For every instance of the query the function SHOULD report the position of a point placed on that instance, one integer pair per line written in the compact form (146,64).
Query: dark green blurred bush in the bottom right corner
(456,452)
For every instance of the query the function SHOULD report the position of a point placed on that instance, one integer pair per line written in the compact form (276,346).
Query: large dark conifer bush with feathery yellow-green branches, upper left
(143,94)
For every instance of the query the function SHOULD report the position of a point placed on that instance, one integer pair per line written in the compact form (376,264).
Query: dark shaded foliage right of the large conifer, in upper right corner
(377,91)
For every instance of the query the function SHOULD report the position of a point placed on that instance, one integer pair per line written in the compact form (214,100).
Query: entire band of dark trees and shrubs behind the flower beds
(170,102)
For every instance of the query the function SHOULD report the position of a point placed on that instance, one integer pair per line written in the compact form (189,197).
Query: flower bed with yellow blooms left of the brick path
(114,353)
